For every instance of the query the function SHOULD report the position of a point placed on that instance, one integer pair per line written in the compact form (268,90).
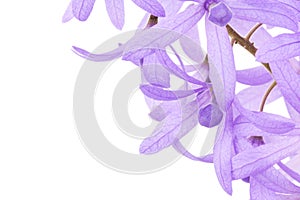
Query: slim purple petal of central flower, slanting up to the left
(173,68)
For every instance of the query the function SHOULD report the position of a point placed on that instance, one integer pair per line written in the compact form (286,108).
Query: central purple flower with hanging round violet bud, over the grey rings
(179,110)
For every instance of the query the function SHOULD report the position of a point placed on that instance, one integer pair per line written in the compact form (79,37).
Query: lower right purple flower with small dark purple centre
(259,147)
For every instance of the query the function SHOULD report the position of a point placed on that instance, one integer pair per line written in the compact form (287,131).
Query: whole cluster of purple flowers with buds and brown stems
(252,145)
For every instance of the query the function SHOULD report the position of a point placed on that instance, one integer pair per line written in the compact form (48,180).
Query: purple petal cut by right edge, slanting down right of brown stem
(288,82)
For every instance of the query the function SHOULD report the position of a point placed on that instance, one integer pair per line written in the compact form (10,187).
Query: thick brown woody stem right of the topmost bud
(249,46)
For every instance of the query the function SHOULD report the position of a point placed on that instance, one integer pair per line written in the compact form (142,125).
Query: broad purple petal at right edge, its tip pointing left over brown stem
(281,47)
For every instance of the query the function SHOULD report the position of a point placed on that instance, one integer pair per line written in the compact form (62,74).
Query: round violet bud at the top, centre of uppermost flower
(220,14)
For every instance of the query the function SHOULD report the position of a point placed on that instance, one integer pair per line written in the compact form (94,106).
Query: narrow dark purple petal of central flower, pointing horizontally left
(158,93)
